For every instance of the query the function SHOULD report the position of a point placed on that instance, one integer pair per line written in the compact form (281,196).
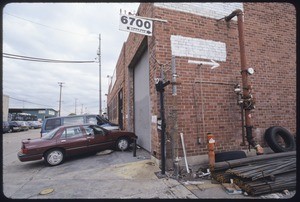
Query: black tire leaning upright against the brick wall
(271,135)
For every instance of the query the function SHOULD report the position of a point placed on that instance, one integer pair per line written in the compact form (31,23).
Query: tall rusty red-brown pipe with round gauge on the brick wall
(248,101)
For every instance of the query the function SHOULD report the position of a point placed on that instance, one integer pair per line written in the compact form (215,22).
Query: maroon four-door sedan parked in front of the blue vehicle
(71,140)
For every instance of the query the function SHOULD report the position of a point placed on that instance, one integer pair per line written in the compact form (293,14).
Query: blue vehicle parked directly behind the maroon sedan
(52,123)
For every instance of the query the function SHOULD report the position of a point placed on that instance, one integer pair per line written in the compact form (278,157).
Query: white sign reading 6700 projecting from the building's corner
(135,24)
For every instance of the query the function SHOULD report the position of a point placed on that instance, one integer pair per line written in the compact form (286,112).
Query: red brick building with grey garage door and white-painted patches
(205,101)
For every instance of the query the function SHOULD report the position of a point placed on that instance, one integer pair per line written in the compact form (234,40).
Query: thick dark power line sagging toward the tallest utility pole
(35,59)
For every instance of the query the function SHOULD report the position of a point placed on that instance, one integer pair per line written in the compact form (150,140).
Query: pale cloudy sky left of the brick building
(61,31)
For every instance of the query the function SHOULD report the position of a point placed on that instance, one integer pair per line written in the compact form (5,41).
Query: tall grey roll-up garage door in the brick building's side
(142,117)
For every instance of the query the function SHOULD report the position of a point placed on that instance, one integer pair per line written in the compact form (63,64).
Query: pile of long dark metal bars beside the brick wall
(259,174)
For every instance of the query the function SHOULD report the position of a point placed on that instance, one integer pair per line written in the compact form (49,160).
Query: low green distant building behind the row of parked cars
(40,113)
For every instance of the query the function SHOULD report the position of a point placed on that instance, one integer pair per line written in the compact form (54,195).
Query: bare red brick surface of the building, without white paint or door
(270,38)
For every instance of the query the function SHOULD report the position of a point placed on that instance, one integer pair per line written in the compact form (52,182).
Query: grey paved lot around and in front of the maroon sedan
(113,175)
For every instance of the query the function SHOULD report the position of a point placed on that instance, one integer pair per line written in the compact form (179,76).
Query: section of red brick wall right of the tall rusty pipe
(272,51)
